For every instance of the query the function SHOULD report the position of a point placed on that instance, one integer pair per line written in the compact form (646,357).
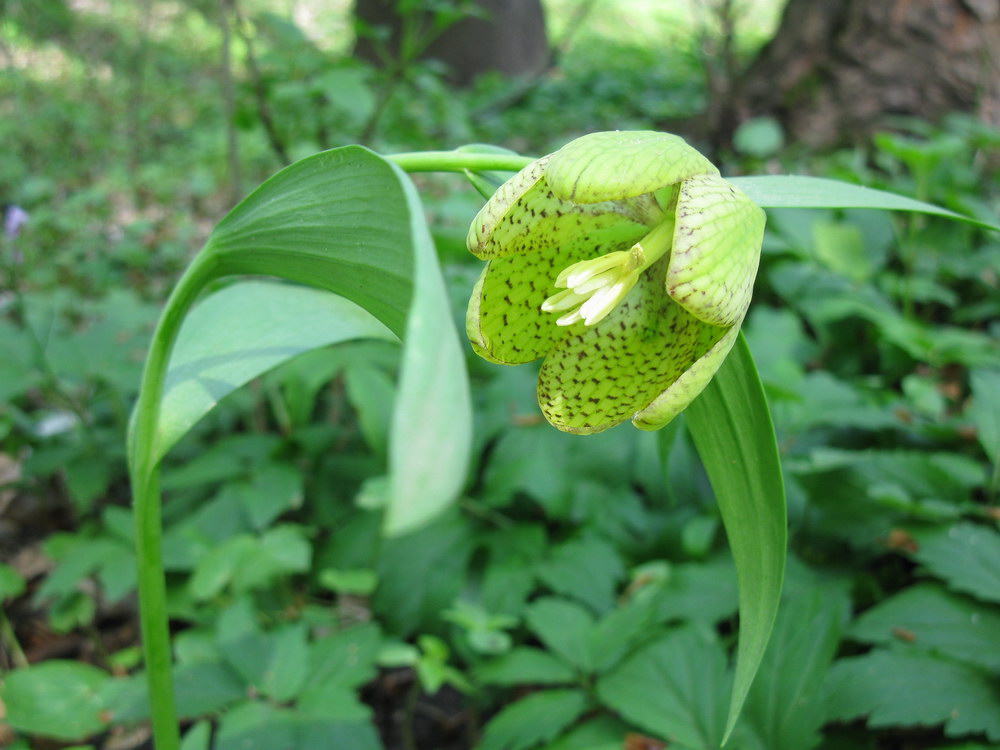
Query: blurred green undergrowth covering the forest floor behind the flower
(581,591)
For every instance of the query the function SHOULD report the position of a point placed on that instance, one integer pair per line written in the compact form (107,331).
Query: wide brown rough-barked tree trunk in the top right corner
(836,68)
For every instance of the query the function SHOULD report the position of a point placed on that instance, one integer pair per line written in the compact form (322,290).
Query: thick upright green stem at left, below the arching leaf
(144,470)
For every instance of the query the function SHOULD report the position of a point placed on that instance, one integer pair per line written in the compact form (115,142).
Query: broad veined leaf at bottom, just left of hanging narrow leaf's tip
(675,689)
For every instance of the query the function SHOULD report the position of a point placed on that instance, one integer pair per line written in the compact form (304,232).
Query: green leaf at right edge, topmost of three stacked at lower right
(965,555)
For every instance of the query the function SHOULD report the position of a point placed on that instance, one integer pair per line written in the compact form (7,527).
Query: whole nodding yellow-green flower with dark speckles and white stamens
(628,263)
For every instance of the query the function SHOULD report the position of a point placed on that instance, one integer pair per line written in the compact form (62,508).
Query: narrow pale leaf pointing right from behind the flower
(787,191)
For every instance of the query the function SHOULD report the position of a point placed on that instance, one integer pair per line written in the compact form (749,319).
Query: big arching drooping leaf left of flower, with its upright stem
(350,222)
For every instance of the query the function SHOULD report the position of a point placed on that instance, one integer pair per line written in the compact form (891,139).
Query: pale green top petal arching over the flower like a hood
(616,165)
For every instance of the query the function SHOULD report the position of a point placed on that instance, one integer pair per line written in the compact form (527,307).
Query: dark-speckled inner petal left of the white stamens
(505,321)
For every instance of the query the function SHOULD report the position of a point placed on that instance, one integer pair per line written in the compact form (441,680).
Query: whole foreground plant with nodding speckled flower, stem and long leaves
(349,221)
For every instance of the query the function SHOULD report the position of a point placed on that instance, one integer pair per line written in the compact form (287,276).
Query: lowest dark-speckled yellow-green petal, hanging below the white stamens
(600,376)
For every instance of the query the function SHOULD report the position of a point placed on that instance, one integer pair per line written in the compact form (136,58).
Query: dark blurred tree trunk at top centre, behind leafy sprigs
(510,39)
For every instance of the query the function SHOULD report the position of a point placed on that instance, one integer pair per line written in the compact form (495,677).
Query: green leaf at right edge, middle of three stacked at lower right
(928,618)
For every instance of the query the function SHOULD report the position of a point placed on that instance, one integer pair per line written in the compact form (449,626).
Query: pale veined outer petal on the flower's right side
(716,250)
